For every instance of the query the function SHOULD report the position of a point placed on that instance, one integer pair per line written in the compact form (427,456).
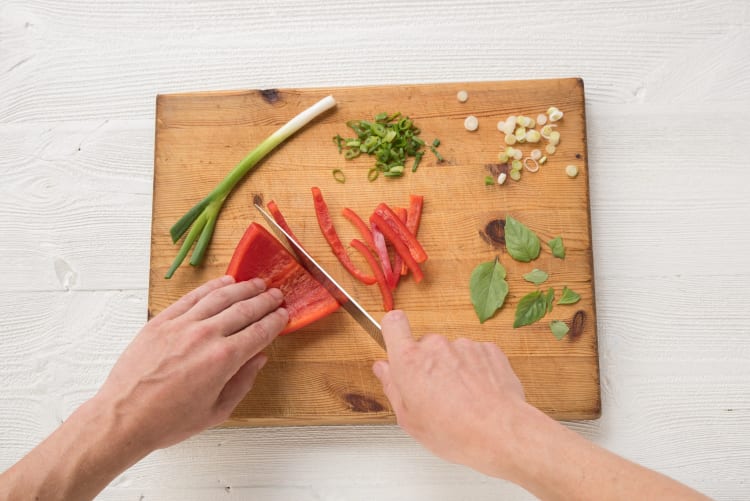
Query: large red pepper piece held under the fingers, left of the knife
(259,254)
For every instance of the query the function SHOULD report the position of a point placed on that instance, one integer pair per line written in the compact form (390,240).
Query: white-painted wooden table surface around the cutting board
(668,90)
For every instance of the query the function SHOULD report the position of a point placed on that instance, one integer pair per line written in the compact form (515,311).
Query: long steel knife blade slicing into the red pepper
(363,318)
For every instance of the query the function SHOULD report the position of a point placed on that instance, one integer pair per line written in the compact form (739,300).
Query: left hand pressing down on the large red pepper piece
(191,365)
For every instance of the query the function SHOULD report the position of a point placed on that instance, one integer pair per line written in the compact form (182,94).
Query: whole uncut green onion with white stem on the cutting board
(201,219)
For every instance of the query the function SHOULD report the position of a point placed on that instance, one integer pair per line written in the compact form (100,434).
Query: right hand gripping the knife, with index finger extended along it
(460,398)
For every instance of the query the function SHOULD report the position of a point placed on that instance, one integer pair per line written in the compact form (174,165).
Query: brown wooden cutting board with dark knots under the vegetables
(322,374)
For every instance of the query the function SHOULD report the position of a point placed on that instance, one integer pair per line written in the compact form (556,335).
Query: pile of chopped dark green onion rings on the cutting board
(391,139)
